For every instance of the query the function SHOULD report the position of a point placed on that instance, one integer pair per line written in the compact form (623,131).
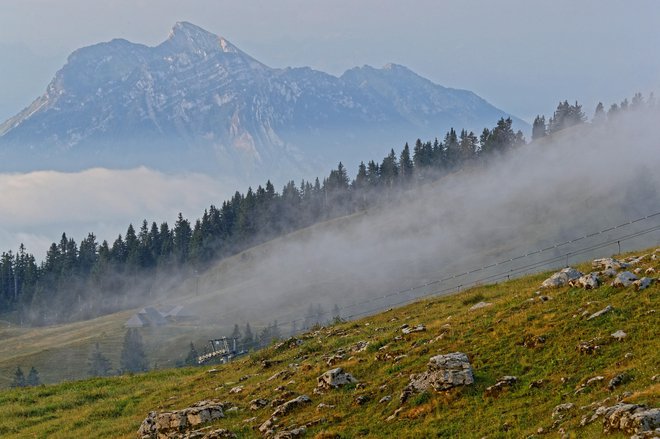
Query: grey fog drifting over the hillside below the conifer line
(585,180)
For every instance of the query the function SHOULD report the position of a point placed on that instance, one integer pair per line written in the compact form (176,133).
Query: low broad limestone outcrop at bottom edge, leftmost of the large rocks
(169,424)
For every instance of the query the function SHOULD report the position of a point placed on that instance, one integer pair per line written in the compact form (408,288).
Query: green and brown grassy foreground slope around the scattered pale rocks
(114,407)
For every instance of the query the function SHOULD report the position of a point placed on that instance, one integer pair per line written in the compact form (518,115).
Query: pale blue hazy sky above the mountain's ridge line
(523,56)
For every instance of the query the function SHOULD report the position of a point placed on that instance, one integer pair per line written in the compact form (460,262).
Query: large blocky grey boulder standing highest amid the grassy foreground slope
(444,372)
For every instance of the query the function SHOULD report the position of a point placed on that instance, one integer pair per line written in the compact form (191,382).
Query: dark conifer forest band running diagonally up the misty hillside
(81,280)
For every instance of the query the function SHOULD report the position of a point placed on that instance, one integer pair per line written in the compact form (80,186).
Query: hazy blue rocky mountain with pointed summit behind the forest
(197,102)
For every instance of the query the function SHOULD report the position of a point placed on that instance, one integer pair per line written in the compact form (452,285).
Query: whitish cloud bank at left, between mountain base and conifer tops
(38,207)
